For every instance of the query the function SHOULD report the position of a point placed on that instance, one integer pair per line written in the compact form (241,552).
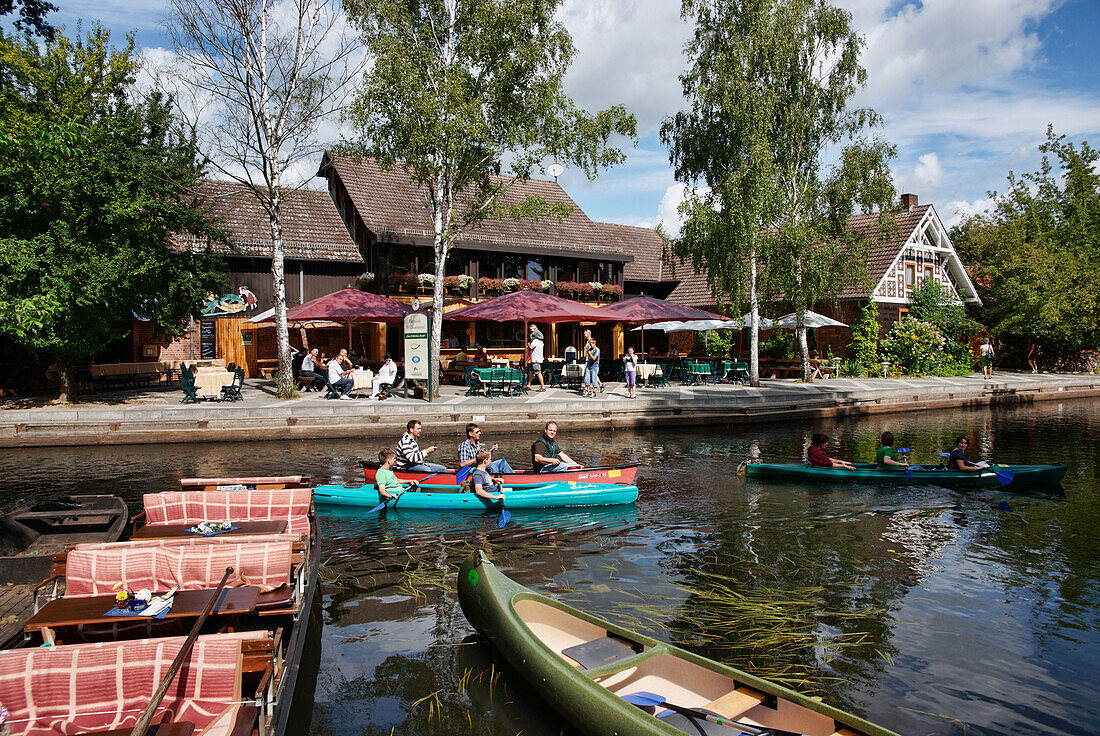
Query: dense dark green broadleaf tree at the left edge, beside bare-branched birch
(93,186)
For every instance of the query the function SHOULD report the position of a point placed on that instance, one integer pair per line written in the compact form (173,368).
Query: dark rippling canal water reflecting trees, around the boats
(926,610)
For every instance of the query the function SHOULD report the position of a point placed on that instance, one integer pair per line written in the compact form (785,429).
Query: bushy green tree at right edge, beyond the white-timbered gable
(1036,257)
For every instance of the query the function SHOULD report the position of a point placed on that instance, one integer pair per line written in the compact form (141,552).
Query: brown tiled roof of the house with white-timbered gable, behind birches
(695,292)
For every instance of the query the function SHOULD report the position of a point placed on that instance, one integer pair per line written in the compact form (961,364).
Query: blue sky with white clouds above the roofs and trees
(967,89)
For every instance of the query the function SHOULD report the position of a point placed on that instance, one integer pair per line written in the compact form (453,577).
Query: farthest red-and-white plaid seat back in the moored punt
(195,507)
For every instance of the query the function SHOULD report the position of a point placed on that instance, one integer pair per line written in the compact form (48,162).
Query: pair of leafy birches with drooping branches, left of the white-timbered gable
(769,86)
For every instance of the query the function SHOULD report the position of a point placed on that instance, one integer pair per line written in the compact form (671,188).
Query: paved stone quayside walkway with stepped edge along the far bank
(156,415)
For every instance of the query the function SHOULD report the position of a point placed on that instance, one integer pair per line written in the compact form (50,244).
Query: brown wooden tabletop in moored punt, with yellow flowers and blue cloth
(61,613)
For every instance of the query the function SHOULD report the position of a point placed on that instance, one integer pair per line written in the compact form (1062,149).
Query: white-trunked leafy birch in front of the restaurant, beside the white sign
(464,90)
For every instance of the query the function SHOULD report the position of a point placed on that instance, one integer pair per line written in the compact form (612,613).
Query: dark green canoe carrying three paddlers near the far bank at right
(1024,477)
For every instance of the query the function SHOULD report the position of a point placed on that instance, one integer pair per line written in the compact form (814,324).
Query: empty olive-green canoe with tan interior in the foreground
(586,667)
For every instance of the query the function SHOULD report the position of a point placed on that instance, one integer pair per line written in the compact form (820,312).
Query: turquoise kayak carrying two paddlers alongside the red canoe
(549,496)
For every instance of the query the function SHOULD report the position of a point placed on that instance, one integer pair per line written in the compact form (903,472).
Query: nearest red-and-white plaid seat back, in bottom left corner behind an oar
(58,691)
